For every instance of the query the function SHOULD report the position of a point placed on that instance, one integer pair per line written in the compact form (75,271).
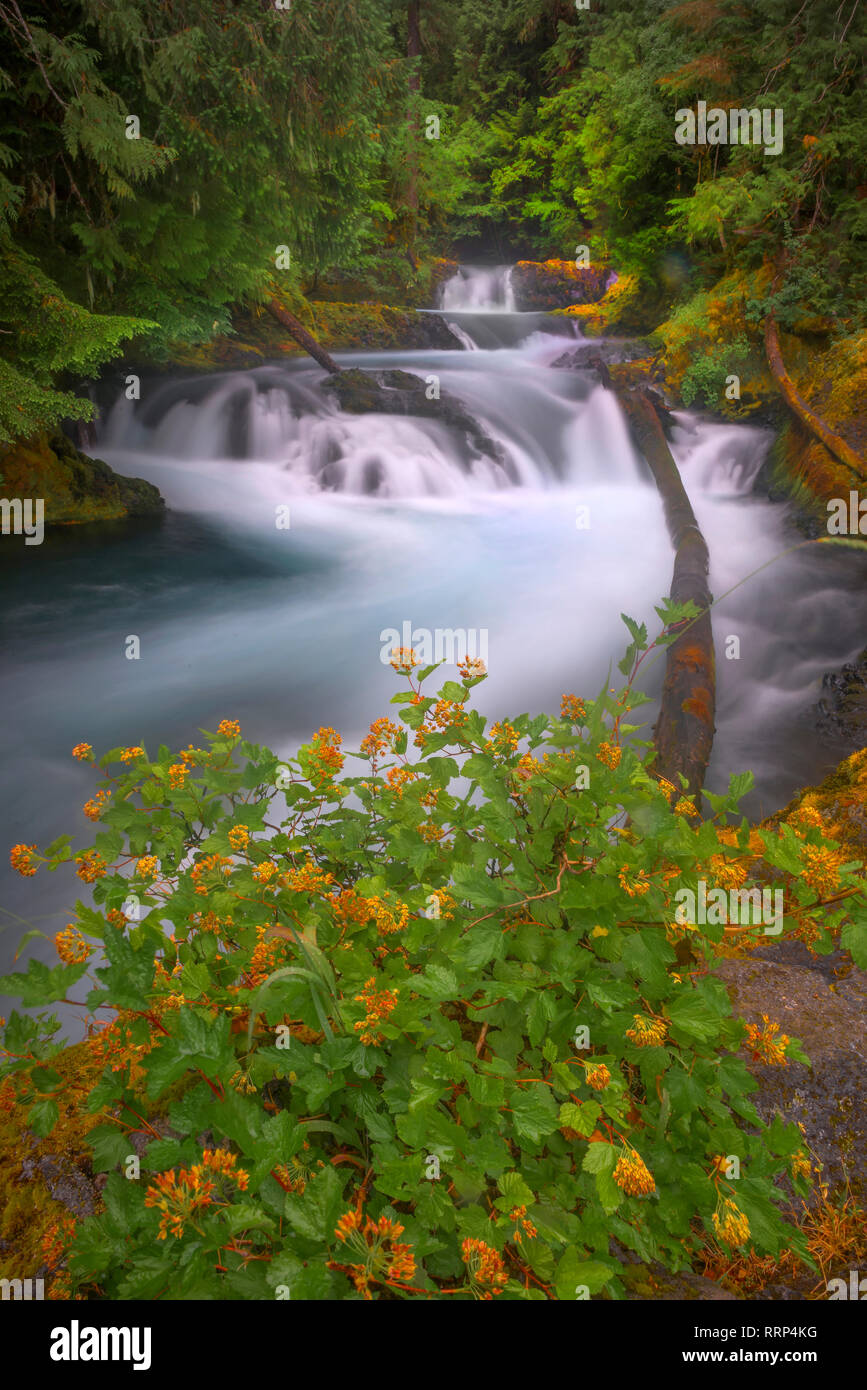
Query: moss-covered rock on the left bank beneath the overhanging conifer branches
(74,487)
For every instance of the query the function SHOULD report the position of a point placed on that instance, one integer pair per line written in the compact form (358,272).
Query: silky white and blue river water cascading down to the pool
(393,522)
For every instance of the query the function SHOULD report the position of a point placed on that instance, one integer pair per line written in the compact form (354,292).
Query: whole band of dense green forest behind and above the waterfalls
(309,129)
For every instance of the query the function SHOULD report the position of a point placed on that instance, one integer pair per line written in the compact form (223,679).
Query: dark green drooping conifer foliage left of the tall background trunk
(256,130)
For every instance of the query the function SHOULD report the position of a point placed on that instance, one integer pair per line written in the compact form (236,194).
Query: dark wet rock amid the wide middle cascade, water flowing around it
(404,394)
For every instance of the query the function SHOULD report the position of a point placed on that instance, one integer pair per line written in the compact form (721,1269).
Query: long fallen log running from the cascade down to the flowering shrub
(684,732)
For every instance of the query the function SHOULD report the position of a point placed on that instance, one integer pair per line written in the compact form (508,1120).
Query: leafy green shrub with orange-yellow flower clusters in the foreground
(418,1036)
